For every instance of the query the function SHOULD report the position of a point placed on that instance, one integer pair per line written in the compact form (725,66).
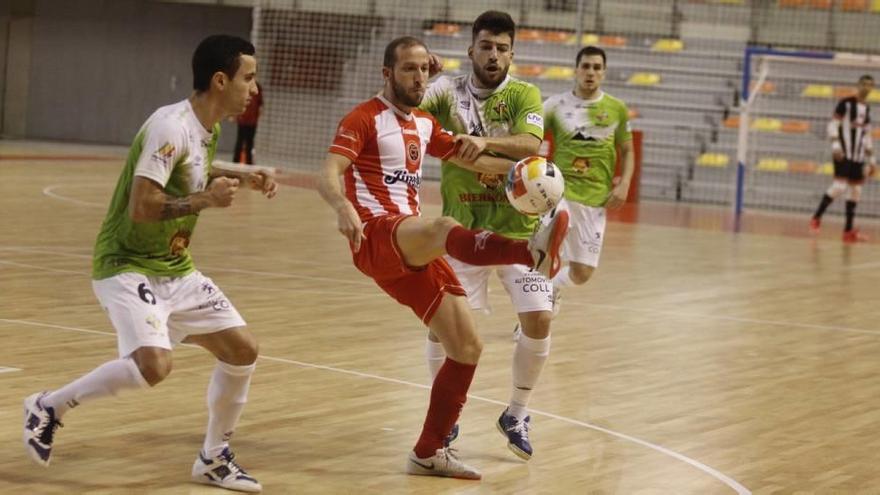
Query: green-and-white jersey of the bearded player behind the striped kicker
(514,107)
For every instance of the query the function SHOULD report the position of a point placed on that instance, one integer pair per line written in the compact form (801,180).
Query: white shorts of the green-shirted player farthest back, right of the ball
(586,231)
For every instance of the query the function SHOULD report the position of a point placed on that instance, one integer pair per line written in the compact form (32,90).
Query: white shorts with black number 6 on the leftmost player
(159,311)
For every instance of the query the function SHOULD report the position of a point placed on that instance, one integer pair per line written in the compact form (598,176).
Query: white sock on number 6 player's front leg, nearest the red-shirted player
(227,395)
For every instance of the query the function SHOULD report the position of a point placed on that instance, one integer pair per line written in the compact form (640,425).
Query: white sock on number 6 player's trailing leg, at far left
(110,378)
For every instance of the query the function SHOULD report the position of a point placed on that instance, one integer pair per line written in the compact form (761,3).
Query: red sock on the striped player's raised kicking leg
(485,248)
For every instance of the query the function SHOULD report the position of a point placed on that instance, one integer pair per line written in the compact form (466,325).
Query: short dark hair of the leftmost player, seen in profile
(218,53)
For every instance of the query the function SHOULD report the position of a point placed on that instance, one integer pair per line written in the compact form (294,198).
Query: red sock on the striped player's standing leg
(448,396)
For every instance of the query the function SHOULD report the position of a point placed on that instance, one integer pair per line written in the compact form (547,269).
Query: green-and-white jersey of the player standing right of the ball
(583,137)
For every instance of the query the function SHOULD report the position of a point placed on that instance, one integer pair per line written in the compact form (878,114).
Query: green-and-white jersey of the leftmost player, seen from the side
(174,150)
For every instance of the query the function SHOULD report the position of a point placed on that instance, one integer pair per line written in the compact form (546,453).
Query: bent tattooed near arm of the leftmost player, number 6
(150,203)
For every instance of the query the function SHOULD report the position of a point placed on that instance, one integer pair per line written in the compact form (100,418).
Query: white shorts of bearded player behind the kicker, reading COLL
(529,291)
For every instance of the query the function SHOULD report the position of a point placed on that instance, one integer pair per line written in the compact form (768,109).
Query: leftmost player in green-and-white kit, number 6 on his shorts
(143,274)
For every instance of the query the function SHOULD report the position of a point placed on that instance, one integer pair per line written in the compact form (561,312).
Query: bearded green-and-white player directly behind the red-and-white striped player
(491,111)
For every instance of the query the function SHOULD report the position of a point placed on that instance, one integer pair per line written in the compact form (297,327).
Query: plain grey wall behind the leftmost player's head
(98,68)
